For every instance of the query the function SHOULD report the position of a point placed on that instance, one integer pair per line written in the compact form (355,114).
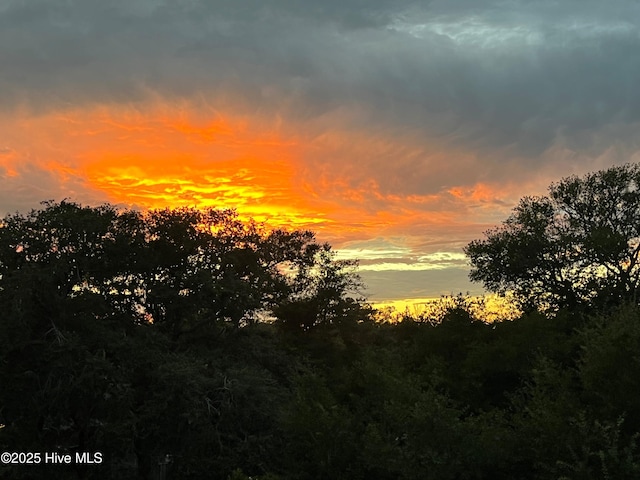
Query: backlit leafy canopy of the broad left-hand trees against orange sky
(176,268)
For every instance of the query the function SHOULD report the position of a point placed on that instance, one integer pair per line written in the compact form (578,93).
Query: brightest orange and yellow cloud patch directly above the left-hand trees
(165,156)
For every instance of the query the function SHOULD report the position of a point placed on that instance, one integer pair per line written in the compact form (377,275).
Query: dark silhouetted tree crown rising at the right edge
(577,246)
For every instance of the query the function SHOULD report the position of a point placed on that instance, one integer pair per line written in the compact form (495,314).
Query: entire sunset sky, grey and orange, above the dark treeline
(397,130)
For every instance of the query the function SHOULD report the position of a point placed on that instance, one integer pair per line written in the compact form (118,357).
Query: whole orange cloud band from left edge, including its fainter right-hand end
(339,182)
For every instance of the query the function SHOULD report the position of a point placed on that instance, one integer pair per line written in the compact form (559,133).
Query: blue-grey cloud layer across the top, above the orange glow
(481,74)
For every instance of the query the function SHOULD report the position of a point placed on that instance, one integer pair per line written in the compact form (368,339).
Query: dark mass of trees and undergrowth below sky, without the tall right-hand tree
(188,344)
